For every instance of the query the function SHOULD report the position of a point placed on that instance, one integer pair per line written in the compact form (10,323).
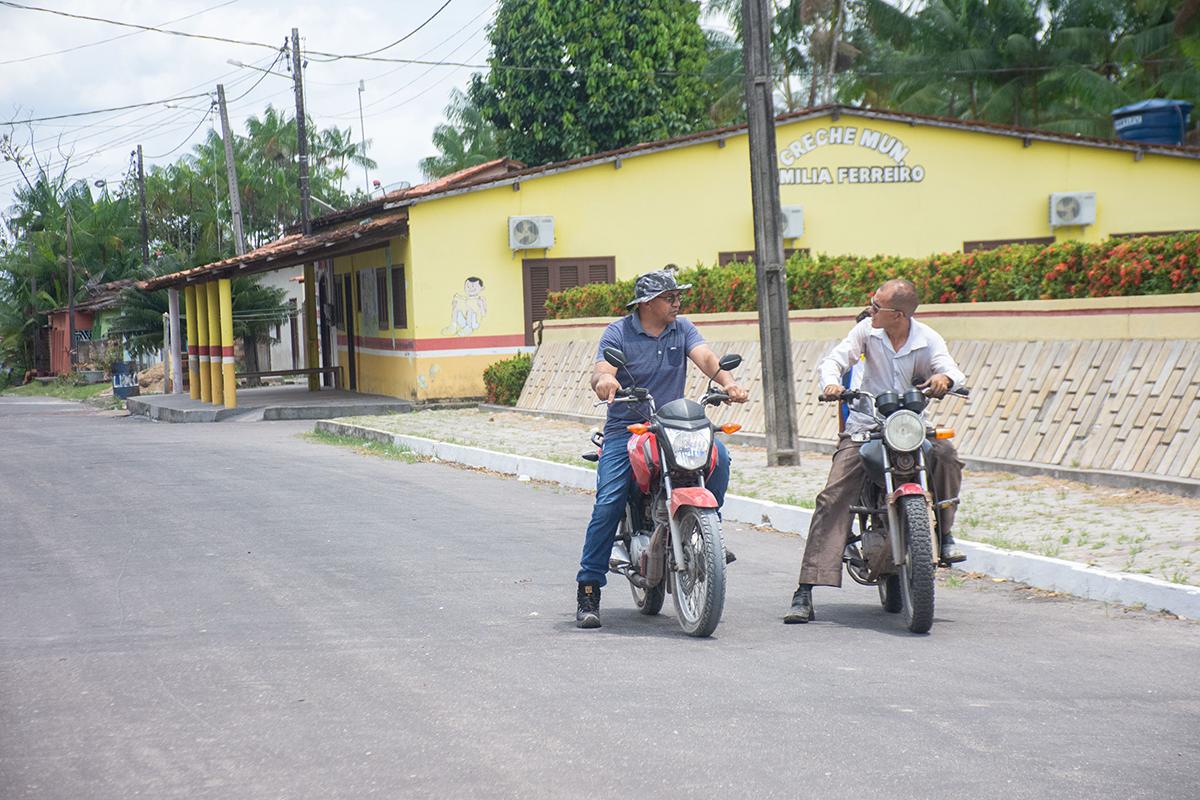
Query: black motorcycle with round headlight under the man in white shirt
(897,545)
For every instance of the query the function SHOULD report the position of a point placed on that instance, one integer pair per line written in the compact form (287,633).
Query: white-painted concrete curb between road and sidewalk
(1040,572)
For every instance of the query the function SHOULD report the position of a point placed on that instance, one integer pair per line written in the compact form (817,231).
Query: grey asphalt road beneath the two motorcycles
(230,611)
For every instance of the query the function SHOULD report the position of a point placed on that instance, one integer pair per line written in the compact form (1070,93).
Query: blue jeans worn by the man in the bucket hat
(615,484)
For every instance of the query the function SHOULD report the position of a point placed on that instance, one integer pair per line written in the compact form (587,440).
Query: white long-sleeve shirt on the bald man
(886,369)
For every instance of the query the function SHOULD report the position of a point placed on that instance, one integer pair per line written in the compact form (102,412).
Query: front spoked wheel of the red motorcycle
(699,590)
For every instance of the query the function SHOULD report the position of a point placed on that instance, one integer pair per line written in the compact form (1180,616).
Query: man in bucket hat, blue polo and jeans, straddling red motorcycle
(657,344)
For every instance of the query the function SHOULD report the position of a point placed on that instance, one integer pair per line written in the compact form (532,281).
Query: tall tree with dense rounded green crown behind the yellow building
(574,77)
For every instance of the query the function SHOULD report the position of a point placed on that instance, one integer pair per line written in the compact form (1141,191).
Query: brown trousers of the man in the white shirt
(831,520)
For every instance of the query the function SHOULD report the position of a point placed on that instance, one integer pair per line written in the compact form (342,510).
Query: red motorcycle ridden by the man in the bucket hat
(670,539)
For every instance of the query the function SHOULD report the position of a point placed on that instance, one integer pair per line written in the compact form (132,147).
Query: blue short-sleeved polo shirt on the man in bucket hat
(655,363)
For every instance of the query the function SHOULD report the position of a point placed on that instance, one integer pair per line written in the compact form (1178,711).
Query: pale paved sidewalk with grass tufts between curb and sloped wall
(1129,531)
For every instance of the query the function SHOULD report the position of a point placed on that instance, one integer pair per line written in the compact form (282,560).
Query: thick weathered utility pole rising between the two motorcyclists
(778,380)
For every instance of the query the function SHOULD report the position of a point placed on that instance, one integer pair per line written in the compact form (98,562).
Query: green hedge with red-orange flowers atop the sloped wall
(1118,267)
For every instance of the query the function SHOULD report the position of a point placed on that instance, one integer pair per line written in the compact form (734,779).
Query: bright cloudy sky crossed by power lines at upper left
(55,65)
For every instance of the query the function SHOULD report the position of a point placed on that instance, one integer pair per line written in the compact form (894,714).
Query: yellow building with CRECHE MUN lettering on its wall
(458,270)
